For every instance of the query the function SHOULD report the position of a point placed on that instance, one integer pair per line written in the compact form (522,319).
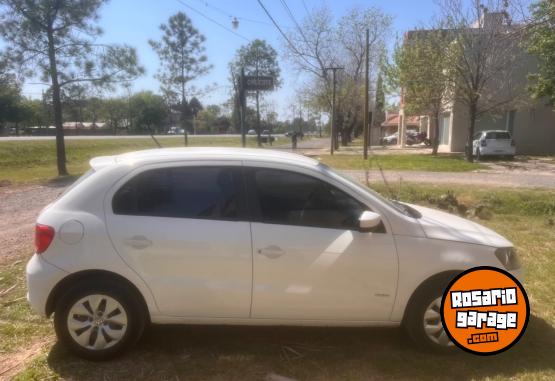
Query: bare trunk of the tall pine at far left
(57,104)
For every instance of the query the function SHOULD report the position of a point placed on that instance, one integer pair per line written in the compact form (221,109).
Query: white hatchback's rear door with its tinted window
(182,229)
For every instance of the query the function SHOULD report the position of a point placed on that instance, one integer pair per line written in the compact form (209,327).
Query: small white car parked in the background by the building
(493,143)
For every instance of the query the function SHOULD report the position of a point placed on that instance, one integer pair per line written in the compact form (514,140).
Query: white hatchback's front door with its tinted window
(311,262)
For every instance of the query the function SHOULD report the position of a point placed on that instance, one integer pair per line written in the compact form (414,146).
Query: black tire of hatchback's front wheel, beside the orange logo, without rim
(413,321)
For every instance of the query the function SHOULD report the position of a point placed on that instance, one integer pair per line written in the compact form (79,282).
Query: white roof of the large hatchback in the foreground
(160,155)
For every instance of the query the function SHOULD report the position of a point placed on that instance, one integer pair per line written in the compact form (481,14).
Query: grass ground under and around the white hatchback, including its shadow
(251,353)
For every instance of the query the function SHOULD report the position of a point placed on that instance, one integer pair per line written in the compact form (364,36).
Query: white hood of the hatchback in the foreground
(441,225)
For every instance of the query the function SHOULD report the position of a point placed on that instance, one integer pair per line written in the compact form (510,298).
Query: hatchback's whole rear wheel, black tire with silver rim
(98,321)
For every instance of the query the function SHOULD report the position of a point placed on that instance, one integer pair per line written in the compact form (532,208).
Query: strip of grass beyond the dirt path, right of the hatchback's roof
(408,162)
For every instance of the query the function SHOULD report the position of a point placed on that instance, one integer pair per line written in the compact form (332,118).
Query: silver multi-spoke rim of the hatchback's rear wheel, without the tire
(97,322)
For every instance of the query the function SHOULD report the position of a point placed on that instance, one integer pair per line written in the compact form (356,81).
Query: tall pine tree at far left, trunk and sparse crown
(55,40)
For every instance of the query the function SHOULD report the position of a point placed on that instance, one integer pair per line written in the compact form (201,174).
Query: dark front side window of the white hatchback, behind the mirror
(290,198)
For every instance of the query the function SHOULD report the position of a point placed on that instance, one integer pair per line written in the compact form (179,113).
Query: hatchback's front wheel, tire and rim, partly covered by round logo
(423,319)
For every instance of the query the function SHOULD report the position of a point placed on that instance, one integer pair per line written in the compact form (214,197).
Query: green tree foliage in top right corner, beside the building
(541,43)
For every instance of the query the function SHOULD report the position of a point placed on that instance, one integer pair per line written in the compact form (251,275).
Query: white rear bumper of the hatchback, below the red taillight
(41,279)
